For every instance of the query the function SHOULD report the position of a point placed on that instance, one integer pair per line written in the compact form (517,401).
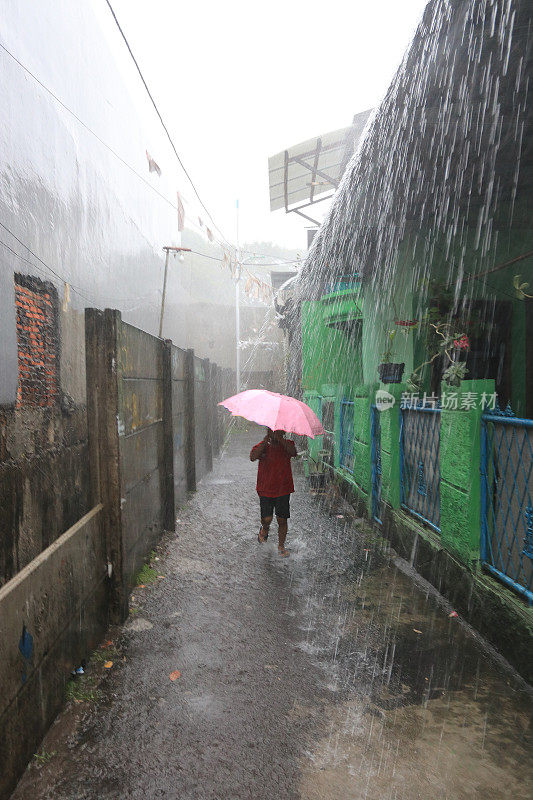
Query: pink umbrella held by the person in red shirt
(276,411)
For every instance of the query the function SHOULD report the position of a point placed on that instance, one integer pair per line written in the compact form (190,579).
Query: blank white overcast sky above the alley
(238,81)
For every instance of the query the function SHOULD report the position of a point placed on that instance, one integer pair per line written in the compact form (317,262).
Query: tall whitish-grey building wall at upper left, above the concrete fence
(97,218)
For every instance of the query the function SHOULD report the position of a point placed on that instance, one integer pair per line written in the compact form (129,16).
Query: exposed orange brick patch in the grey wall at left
(37,338)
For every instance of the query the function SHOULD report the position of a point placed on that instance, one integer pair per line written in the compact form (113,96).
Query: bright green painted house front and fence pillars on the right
(335,367)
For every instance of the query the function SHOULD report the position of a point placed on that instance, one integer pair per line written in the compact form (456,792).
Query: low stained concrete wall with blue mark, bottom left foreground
(52,614)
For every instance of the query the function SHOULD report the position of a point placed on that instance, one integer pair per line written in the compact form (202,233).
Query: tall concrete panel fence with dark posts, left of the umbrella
(152,434)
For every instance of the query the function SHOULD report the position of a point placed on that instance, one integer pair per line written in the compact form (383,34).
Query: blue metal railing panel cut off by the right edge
(506,499)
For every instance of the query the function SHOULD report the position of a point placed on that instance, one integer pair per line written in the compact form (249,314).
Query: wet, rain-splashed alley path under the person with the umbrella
(329,675)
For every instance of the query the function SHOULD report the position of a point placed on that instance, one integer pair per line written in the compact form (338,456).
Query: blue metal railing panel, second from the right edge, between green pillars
(419,463)
